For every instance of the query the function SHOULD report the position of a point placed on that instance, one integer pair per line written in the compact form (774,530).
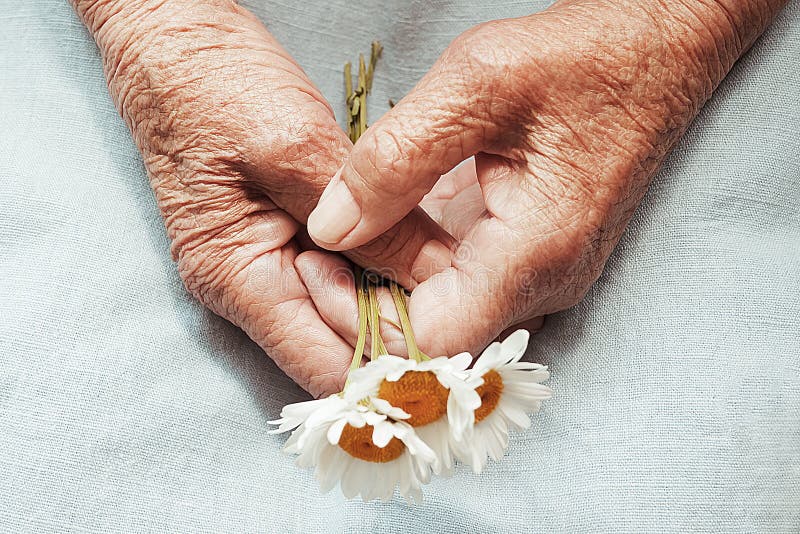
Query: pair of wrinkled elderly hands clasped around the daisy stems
(568,113)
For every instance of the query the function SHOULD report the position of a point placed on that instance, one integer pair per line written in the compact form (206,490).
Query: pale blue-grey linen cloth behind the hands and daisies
(126,407)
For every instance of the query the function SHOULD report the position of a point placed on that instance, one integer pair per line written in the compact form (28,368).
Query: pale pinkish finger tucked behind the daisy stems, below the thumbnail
(329,281)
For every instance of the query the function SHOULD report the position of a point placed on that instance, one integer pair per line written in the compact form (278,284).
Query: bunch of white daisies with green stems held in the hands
(398,421)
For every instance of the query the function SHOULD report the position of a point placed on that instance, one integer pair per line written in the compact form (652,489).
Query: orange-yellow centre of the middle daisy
(419,394)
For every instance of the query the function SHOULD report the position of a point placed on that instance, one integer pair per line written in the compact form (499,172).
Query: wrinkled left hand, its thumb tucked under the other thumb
(238,146)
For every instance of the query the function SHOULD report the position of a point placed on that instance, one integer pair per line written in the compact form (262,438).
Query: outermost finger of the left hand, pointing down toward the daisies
(246,275)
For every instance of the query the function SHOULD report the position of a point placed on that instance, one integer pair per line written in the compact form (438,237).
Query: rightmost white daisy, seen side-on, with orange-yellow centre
(511,389)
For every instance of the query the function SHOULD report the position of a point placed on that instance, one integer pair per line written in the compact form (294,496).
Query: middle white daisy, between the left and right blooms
(438,394)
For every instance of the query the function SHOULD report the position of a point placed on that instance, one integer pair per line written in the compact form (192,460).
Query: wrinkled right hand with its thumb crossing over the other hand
(567,113)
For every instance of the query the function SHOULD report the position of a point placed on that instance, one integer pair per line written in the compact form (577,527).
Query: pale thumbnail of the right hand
(336,214)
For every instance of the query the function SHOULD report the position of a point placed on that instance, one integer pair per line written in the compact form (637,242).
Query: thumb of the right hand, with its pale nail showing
(395,163)
